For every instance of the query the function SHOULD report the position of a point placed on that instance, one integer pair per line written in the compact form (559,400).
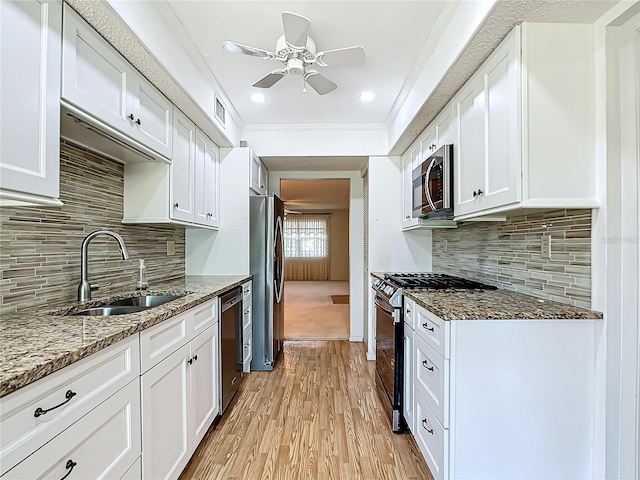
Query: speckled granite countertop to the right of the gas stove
(495,305)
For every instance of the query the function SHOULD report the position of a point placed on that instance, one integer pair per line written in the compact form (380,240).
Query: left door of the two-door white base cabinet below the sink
(165,421)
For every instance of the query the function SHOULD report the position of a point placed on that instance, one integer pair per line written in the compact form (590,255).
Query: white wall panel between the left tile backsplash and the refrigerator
(226,251)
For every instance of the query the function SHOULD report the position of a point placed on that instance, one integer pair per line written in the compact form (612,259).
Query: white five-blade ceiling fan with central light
(297,51)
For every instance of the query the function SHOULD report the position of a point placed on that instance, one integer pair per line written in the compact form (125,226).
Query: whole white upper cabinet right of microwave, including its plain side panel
(524,125)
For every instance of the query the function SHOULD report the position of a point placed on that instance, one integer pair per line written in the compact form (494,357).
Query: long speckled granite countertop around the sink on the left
(37,343)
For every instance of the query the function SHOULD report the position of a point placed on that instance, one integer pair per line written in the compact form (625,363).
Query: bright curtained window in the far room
(305,236)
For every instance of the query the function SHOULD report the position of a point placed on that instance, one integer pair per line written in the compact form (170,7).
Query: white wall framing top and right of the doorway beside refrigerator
(356,239)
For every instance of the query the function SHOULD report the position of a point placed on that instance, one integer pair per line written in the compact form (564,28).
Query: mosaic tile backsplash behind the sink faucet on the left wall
(40,246)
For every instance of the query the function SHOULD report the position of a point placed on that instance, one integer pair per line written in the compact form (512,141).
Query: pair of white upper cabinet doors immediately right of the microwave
(487,160)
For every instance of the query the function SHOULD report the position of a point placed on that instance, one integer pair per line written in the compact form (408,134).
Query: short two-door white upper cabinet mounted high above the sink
(100,82)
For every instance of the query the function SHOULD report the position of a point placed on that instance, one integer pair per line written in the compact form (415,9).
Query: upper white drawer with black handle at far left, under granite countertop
(91,380)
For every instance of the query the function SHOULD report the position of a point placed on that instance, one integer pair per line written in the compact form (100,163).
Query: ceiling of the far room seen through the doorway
(299,195)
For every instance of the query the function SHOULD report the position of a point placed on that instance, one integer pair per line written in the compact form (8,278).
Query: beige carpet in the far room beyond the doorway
(309,312)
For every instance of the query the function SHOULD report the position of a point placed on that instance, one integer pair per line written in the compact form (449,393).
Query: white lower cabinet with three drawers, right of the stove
(503,399)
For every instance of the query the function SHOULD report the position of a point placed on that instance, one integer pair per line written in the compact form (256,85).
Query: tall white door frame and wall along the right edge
(614,260)
